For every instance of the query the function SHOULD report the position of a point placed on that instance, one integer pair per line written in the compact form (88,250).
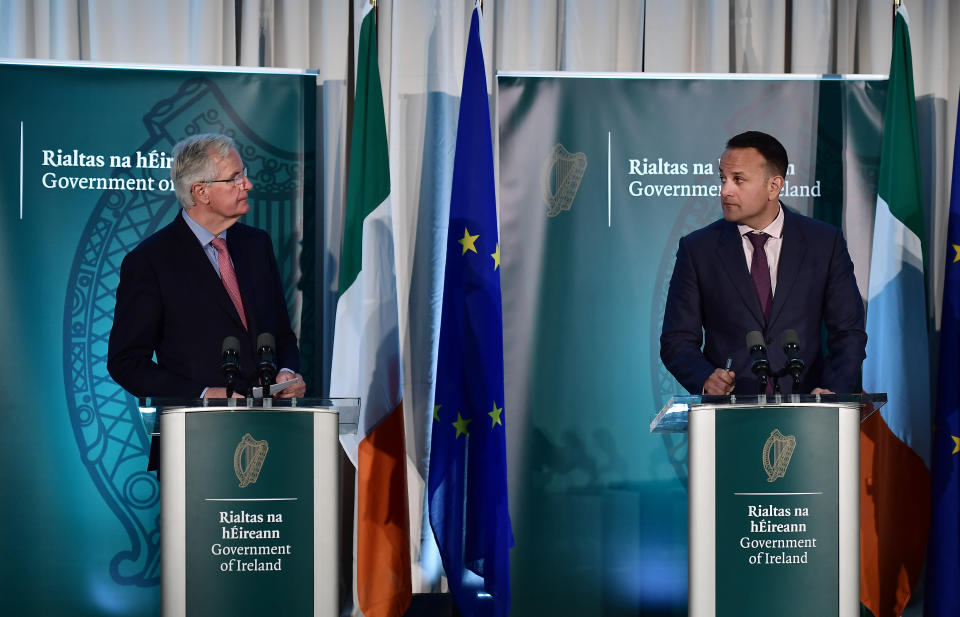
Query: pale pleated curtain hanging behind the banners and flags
(422,48)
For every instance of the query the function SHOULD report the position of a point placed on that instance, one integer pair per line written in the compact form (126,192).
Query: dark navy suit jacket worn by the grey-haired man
(171,302)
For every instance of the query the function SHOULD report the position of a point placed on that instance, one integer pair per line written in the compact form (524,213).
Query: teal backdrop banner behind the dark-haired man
(599,177)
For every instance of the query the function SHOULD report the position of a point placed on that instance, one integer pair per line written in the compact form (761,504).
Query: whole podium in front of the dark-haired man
(773,501)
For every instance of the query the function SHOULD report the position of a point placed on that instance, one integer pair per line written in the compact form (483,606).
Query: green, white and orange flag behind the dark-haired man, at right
(895,443)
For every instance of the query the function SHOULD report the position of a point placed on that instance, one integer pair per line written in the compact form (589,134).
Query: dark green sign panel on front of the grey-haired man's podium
(249,513)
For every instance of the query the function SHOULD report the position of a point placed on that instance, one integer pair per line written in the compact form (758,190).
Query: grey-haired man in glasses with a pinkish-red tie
(202,278)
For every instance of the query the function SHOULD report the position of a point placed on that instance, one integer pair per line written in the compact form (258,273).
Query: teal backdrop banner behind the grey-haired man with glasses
(84,176)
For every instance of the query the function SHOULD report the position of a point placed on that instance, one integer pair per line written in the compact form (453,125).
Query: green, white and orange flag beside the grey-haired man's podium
(366,351)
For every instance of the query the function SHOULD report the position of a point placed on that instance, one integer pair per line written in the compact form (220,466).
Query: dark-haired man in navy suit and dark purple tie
(761,268)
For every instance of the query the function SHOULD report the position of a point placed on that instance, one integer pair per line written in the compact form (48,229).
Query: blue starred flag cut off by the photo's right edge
(943,558)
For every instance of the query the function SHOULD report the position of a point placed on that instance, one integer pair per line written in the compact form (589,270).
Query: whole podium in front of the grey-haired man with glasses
(250,499)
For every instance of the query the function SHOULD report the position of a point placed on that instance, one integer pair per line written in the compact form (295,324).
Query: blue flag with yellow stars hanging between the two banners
(468,464)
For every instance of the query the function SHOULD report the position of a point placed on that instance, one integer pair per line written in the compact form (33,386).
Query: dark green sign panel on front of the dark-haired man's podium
(777,531)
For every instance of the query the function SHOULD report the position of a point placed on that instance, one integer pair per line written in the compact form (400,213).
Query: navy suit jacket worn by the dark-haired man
(712,304)
